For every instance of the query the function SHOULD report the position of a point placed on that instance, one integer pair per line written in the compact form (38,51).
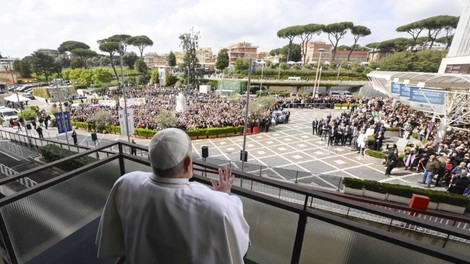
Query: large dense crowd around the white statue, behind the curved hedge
(203,110)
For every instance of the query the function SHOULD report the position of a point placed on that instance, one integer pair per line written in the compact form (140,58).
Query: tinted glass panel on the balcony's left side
(37,222)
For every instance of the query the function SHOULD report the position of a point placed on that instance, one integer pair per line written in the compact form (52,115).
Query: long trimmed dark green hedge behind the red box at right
(406,191)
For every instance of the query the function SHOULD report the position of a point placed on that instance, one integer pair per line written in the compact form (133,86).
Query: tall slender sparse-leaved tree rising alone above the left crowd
(189,42)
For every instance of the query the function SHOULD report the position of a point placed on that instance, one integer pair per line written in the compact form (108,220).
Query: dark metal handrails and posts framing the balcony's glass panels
(304,209)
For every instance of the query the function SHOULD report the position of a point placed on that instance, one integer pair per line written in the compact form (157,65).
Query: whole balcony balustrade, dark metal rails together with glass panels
(55,221)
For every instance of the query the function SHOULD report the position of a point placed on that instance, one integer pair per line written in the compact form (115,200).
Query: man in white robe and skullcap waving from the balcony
(162,217)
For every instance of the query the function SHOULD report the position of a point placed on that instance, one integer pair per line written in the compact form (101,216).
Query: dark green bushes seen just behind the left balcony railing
(52,153)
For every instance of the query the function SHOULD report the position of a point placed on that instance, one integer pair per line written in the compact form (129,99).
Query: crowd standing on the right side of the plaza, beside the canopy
(443,156)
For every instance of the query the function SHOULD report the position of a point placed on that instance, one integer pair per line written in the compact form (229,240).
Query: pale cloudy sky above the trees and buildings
(29,25)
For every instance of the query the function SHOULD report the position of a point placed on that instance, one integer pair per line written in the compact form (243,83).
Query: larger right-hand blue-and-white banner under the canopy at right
(427,100)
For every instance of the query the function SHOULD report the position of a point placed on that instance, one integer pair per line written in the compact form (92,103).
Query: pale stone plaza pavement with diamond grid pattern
(288,152)
